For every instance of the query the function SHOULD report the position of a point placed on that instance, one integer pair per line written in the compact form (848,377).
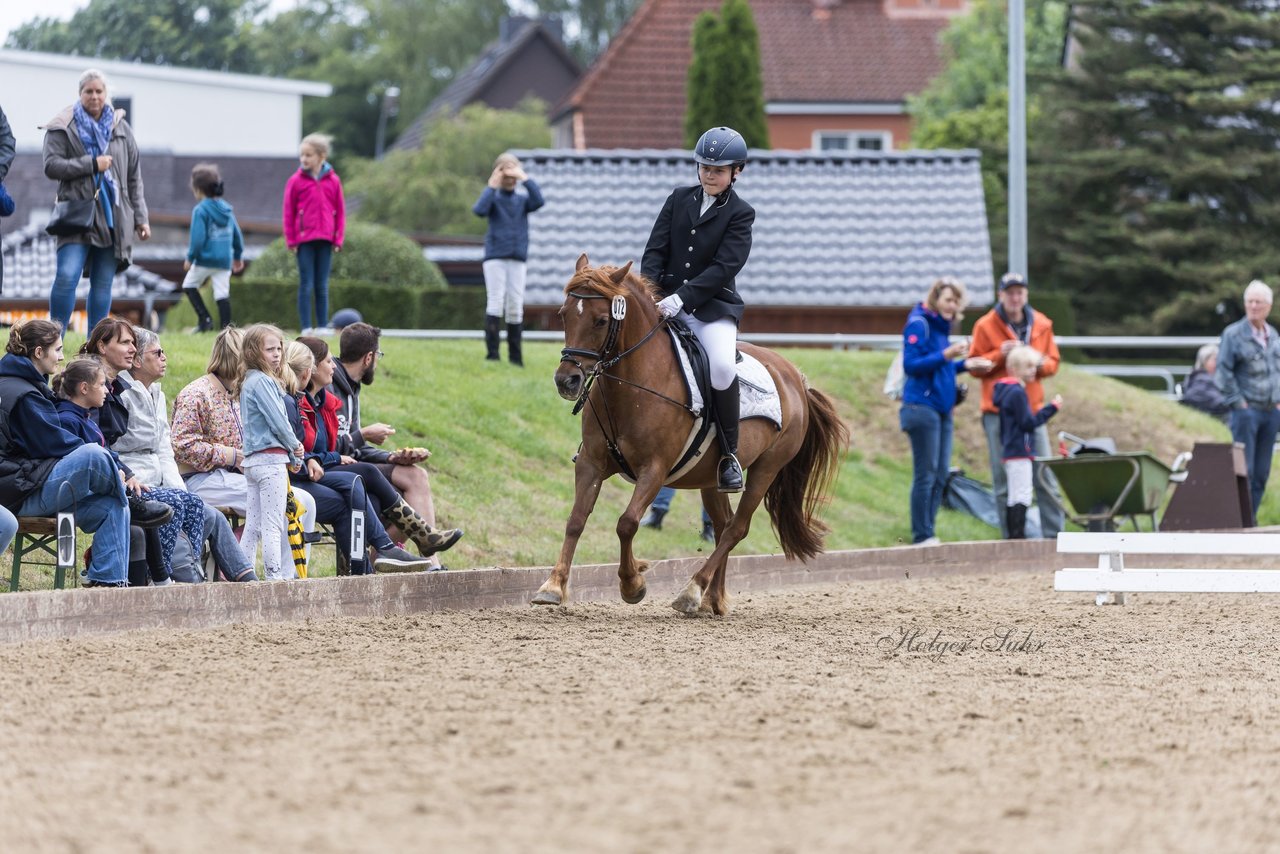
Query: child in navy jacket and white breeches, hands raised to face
(506,203)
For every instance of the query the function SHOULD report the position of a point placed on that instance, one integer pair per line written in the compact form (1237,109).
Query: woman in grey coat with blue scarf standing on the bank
(90,148)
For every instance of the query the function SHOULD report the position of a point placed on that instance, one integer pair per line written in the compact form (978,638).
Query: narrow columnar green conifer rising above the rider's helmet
(725,86)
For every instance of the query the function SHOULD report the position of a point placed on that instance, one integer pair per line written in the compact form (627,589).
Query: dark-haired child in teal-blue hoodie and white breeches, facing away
(217,246)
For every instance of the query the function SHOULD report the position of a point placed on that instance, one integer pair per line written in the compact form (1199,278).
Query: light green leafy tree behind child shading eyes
(433,189)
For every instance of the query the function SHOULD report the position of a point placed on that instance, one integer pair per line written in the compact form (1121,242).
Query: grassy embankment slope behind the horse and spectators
(502,441)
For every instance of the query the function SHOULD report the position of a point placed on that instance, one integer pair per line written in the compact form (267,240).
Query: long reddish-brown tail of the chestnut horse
(803,485)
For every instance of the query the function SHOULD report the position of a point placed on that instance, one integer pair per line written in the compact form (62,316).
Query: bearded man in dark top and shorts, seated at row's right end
(358,366)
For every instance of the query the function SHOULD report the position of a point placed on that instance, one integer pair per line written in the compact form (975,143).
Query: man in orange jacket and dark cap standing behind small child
(1011,323)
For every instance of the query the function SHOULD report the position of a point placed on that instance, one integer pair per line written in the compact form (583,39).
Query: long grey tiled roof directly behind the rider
(861,230)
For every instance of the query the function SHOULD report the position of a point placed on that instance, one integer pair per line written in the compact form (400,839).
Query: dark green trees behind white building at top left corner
(193,34)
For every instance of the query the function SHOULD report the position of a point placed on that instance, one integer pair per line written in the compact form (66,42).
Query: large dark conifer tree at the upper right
(1156,179)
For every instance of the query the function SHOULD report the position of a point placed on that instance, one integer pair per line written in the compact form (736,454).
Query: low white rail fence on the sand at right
(1110,581)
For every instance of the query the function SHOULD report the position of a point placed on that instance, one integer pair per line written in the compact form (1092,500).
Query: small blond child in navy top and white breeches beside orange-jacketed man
(1018,432)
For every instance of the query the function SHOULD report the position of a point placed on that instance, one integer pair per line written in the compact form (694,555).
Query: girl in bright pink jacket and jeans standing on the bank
(316,220)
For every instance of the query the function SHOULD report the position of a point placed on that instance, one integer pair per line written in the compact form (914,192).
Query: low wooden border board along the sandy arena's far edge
(68,614)
